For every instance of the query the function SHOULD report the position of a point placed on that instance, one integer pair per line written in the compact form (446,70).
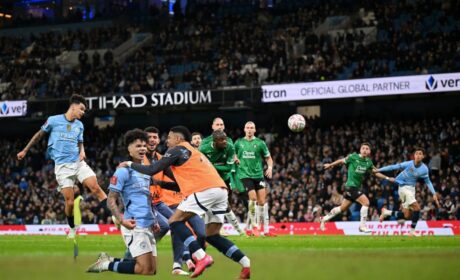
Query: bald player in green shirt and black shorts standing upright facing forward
(251,152)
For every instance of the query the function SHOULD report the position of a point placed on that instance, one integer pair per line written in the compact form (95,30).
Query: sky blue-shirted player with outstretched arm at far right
(413,170)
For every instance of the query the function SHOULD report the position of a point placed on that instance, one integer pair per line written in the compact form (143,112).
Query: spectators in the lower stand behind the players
(300,191)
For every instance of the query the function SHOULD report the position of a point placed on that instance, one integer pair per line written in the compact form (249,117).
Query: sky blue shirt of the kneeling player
(134,188)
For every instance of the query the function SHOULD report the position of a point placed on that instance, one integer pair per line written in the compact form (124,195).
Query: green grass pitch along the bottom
(283,257)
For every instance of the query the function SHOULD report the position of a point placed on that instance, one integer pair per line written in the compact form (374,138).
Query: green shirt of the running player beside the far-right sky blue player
(357,169)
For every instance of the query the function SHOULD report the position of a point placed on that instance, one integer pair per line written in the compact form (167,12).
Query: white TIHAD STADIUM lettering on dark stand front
(157,99)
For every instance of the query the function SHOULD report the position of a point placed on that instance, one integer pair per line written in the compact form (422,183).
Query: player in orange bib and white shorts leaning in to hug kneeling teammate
(205,193)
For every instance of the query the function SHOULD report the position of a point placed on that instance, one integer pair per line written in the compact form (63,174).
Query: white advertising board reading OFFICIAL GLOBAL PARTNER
(362,87)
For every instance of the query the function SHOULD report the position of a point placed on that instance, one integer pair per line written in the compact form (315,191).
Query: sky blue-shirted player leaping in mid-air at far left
(65,146)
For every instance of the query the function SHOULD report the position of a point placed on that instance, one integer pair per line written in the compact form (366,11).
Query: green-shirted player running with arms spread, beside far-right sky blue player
(358,166)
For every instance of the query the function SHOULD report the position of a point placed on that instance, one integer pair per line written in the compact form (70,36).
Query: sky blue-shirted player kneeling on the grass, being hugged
(139,220)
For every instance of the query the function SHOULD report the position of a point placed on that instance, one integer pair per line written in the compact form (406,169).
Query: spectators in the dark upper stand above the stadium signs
(241,44)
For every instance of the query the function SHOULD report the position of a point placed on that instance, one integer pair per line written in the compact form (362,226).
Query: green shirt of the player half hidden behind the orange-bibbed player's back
(220,158)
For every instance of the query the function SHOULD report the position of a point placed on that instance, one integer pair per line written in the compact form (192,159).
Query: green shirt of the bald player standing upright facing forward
(251,154)
